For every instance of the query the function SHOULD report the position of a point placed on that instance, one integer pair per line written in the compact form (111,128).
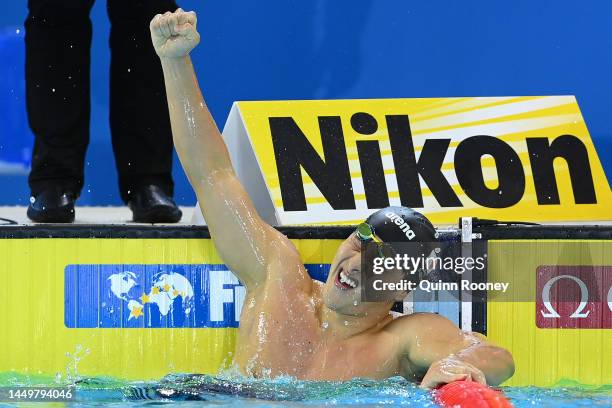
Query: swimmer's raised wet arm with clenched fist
(244,241)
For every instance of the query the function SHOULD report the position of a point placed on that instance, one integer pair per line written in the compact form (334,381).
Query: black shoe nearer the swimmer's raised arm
(150,204)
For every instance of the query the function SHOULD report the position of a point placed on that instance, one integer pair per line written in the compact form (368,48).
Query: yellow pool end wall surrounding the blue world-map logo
(36,339)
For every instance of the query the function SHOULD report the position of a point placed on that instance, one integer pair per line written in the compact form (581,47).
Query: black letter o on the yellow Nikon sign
(510,175)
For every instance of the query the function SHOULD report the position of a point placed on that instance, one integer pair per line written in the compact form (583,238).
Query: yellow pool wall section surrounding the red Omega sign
(546,356)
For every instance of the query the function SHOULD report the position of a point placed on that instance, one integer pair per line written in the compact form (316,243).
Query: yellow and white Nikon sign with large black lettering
(334,162)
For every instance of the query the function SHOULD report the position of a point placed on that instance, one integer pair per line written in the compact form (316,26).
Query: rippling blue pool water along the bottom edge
(198,390)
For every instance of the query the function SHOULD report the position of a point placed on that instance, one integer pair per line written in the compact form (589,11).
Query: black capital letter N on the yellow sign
(293,150)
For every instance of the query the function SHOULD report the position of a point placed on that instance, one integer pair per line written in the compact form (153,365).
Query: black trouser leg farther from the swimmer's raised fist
(58,39)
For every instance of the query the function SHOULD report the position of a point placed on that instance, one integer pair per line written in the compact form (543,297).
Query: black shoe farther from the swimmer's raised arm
(53,205)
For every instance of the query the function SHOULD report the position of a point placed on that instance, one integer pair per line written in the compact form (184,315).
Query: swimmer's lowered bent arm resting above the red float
(441,353)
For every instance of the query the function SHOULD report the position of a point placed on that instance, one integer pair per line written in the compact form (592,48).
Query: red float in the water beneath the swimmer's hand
(469,394)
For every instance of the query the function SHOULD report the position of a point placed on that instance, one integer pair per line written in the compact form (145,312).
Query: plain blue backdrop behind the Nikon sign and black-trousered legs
(297,49)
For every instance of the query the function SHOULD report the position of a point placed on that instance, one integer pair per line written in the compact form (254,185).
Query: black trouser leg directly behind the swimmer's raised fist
(140,123)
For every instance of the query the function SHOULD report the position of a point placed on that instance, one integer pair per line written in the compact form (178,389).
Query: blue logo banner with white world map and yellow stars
(151,296)
